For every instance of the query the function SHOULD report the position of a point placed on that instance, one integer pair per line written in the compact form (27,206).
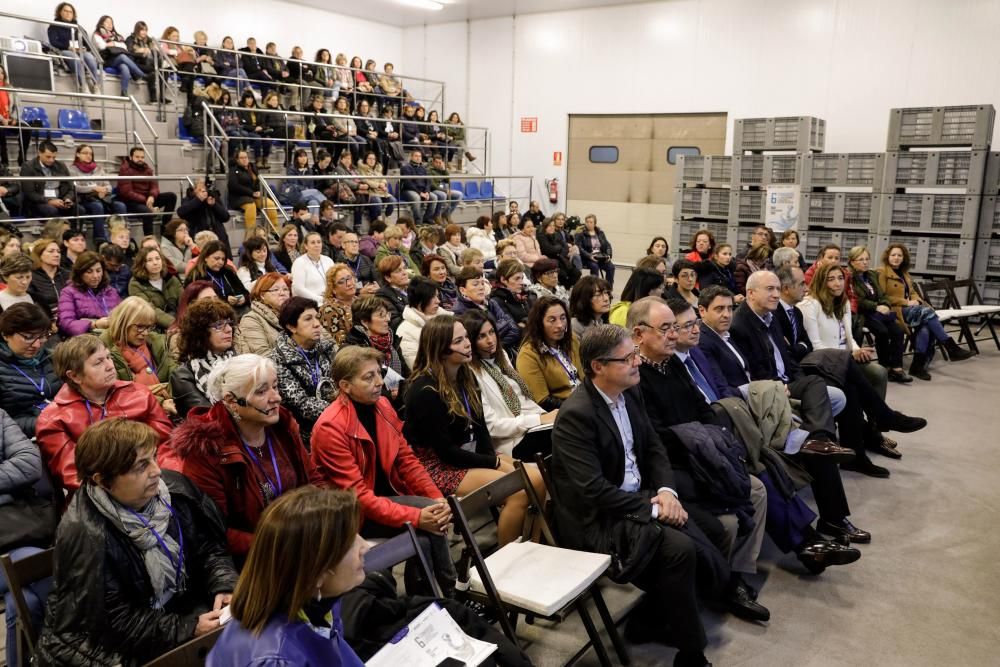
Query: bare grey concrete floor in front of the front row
(925,590)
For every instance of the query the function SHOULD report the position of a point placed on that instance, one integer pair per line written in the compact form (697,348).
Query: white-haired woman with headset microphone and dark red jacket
(244,451)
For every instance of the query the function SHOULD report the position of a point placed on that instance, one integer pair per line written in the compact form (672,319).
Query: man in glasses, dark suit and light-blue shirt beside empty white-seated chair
(614,492)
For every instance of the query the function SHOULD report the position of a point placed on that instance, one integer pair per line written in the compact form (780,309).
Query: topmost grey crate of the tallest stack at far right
(970,126)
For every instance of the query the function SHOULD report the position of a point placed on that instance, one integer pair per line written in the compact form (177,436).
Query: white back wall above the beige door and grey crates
(847,61)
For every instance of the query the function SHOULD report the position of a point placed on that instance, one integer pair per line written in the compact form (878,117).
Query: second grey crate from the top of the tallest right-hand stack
(935,169)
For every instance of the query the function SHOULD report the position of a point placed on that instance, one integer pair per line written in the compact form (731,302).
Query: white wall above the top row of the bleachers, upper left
(284,23)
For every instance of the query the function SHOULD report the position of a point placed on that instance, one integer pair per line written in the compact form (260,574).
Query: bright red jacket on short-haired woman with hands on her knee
(345,456)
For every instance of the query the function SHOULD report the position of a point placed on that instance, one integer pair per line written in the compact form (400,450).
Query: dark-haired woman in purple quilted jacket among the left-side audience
(88,299)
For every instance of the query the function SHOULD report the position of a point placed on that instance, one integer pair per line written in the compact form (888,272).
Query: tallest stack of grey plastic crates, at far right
(932,187)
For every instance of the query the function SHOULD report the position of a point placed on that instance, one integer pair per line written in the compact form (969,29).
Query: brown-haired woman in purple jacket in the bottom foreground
(306,553)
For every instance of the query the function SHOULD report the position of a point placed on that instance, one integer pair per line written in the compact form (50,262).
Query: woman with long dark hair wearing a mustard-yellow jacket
(549,358)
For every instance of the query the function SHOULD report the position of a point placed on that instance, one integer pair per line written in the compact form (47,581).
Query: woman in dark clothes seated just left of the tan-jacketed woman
(870,310)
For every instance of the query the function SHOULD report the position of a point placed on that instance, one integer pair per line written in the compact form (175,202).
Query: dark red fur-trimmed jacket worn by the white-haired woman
(208,450)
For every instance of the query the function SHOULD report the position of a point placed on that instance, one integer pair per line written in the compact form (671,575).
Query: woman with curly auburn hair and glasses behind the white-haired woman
(205,340)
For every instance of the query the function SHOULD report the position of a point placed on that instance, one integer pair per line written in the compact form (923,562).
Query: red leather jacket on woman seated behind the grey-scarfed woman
(61,424)
